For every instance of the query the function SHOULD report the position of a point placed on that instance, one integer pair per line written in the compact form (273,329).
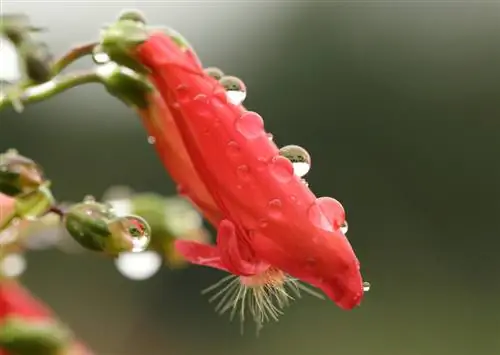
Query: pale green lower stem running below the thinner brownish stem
(51,88)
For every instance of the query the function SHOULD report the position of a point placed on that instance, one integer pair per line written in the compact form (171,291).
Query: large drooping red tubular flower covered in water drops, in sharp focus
(273,224)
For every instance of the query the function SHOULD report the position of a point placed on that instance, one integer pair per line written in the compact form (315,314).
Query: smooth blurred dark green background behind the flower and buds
(398,105)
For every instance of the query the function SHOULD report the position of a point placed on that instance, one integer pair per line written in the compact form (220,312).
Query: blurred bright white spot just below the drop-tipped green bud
(138,266)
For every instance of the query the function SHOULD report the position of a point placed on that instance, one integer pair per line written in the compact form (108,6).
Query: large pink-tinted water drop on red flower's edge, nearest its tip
(326,213)
